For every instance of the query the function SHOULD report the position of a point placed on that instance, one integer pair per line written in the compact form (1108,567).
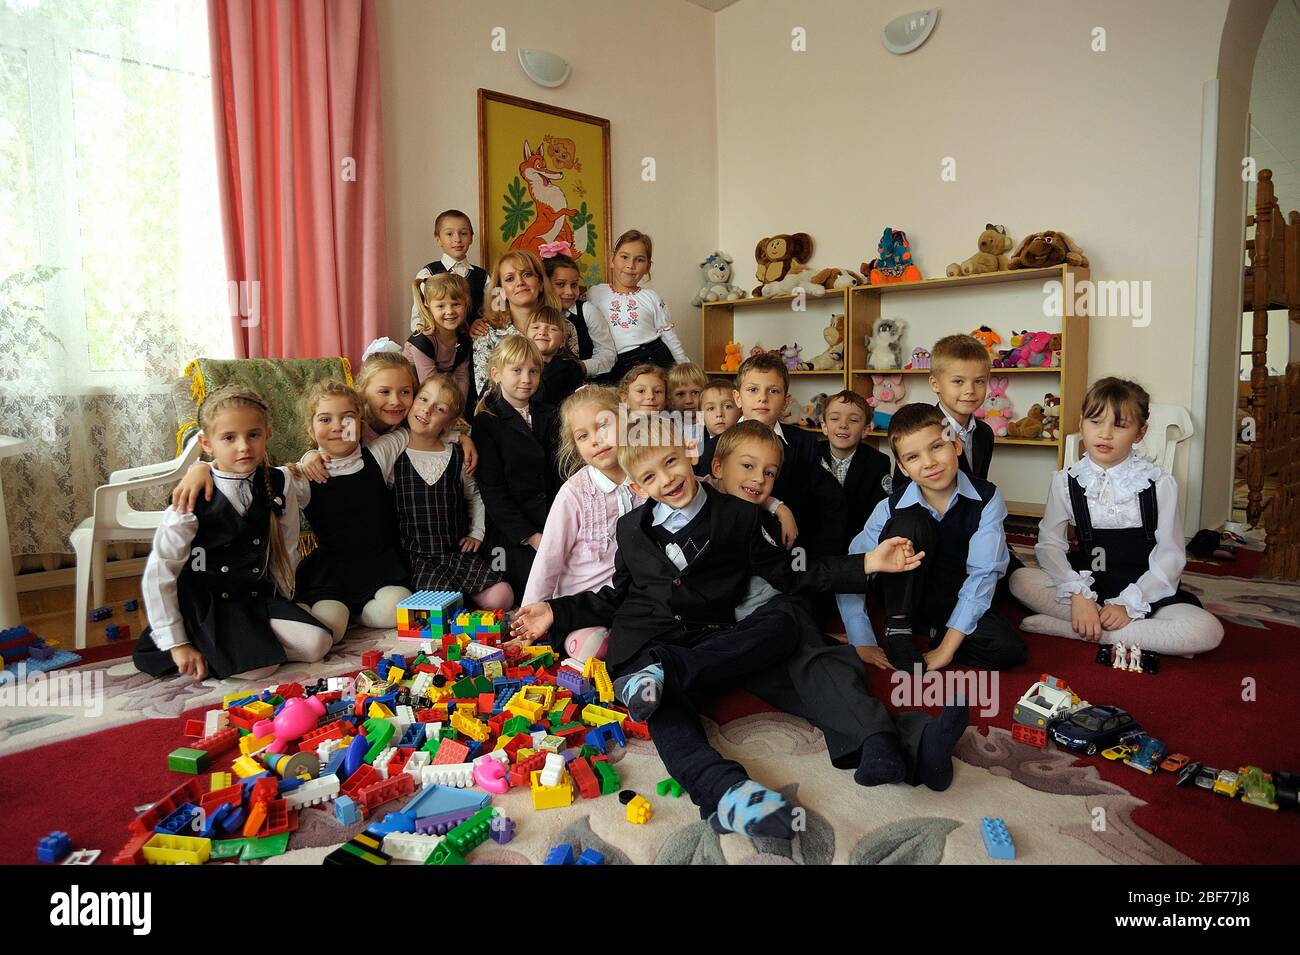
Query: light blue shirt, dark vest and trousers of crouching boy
(954,588)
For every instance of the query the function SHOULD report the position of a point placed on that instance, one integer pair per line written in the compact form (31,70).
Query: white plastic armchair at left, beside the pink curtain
(114,519)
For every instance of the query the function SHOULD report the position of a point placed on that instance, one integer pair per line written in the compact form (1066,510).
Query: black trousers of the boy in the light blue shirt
(995,645)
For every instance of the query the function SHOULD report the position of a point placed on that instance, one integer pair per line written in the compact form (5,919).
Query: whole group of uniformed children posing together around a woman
(701,554)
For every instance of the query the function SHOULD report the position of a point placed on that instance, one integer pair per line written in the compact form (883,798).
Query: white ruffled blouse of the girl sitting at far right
(1112,494)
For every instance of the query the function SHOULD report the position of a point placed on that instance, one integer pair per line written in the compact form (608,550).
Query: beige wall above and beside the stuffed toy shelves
(847,138)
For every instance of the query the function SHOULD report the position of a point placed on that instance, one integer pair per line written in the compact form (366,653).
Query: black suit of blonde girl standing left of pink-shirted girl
(518,477)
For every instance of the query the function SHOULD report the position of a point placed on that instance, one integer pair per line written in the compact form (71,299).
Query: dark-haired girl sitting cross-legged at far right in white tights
(1121,584)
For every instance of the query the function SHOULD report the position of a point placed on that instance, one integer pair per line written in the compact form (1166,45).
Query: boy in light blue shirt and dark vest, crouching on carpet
(957,522)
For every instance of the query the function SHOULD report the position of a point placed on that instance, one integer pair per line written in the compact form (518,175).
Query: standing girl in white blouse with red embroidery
(638,318)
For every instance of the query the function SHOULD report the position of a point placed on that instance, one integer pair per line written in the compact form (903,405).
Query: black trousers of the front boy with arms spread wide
(720,658)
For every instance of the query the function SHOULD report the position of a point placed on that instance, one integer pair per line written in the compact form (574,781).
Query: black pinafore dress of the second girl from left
(356,527)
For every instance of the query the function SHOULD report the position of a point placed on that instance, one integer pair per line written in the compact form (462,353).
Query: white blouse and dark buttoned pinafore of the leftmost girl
(209,580)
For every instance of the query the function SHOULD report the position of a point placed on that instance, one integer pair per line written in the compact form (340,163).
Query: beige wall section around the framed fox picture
(647,66)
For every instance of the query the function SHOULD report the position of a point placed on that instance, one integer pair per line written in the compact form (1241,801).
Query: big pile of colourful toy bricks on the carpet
(462,713)
